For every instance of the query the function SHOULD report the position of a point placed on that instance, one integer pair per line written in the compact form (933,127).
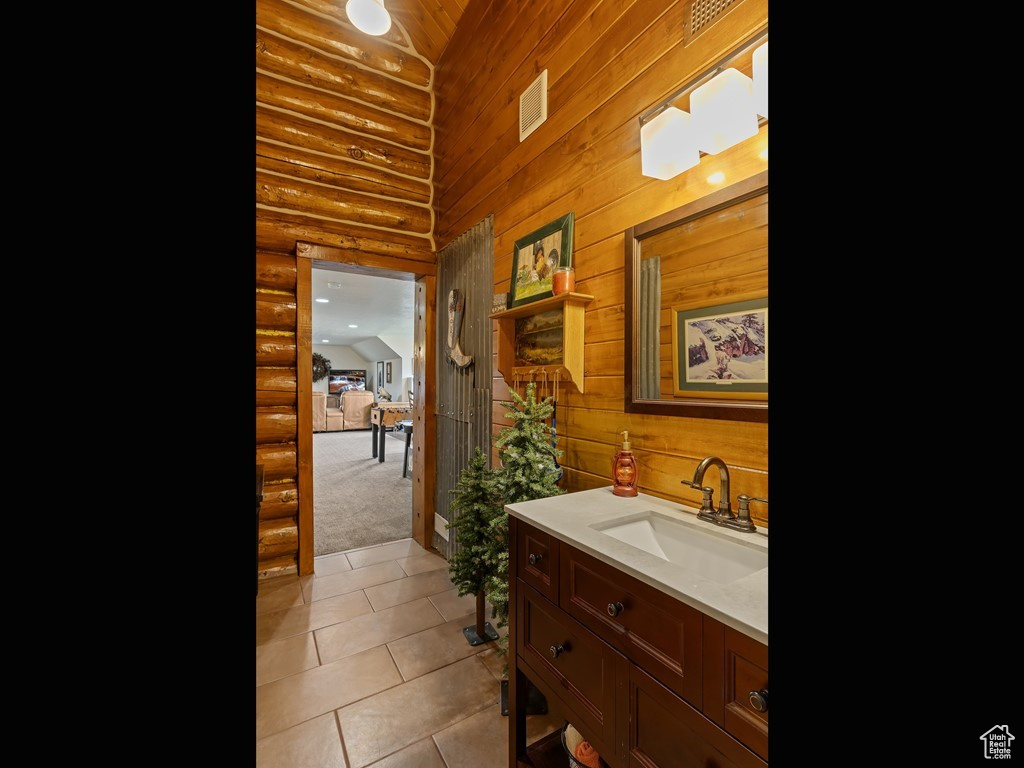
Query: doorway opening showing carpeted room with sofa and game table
(363,326)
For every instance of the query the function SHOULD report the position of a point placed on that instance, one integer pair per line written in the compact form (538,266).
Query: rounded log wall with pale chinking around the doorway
(344,159)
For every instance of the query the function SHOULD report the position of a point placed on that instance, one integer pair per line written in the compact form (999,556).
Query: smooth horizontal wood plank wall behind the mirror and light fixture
(609,62)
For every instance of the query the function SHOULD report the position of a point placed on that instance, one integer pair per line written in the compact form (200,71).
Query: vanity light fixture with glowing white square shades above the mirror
(723,112)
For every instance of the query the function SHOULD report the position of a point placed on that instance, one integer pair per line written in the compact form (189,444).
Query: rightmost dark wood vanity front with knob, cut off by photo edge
(736,667)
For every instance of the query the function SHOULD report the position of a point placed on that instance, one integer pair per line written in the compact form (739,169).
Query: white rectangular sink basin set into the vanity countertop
(712,557)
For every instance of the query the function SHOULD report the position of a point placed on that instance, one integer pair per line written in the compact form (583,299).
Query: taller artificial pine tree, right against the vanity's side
(529,472)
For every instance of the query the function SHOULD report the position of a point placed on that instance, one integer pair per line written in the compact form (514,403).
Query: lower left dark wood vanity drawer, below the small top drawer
(581,670)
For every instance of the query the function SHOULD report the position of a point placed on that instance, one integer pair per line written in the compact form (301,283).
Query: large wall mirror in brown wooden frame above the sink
(697,308)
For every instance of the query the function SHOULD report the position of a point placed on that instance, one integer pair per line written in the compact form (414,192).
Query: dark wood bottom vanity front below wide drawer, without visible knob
(667,733)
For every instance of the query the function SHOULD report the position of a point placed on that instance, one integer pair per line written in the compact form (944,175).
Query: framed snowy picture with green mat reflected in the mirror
(721,350)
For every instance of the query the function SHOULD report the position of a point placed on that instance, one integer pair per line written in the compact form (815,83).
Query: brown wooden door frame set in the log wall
(423,367)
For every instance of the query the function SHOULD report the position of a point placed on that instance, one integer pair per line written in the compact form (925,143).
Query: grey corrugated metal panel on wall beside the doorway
(463,395)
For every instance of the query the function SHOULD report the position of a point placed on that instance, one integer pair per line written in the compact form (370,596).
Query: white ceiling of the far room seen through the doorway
(380,307)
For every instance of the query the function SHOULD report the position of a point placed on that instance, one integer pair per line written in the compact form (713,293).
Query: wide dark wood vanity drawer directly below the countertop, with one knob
(653,629)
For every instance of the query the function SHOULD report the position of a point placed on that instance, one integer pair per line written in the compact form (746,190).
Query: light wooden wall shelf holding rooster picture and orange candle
(573,307)
